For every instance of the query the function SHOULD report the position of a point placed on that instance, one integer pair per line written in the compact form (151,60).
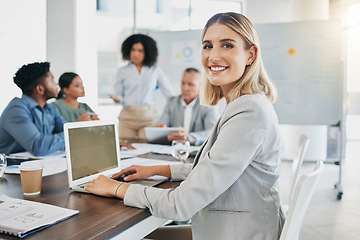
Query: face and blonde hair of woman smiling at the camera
(232,64)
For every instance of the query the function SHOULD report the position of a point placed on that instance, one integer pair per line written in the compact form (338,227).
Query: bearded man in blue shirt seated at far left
(29,123)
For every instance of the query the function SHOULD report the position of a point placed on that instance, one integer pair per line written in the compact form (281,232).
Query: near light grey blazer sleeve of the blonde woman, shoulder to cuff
(238,140)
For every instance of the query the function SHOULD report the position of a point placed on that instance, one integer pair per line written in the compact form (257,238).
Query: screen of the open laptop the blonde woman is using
(92,150)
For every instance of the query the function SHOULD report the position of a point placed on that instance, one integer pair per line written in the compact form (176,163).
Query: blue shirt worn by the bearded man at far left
(25,126)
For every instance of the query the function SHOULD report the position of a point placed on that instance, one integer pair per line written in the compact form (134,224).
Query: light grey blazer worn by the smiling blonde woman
(232,190)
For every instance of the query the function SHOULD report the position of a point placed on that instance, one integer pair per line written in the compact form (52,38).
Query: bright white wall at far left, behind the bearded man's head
(22,40)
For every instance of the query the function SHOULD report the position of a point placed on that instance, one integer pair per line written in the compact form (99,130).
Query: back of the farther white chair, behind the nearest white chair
(295,167)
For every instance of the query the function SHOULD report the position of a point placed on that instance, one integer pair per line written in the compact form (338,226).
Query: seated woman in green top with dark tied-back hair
(71,88)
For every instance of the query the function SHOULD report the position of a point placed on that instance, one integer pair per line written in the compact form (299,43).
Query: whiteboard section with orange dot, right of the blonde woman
(303,60)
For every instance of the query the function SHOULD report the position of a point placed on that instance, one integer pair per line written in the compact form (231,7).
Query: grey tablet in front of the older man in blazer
(158,135)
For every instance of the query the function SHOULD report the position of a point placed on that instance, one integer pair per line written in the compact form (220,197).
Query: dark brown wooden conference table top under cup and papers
(99,217)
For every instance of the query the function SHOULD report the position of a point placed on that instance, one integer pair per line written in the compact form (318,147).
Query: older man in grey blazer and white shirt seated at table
(186,112)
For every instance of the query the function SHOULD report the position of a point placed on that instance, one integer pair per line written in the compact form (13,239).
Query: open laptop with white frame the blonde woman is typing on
(92,149)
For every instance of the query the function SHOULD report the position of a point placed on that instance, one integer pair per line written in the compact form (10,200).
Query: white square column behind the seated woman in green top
(72,42)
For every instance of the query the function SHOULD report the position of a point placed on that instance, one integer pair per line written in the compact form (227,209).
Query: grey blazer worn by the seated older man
(202,120)
